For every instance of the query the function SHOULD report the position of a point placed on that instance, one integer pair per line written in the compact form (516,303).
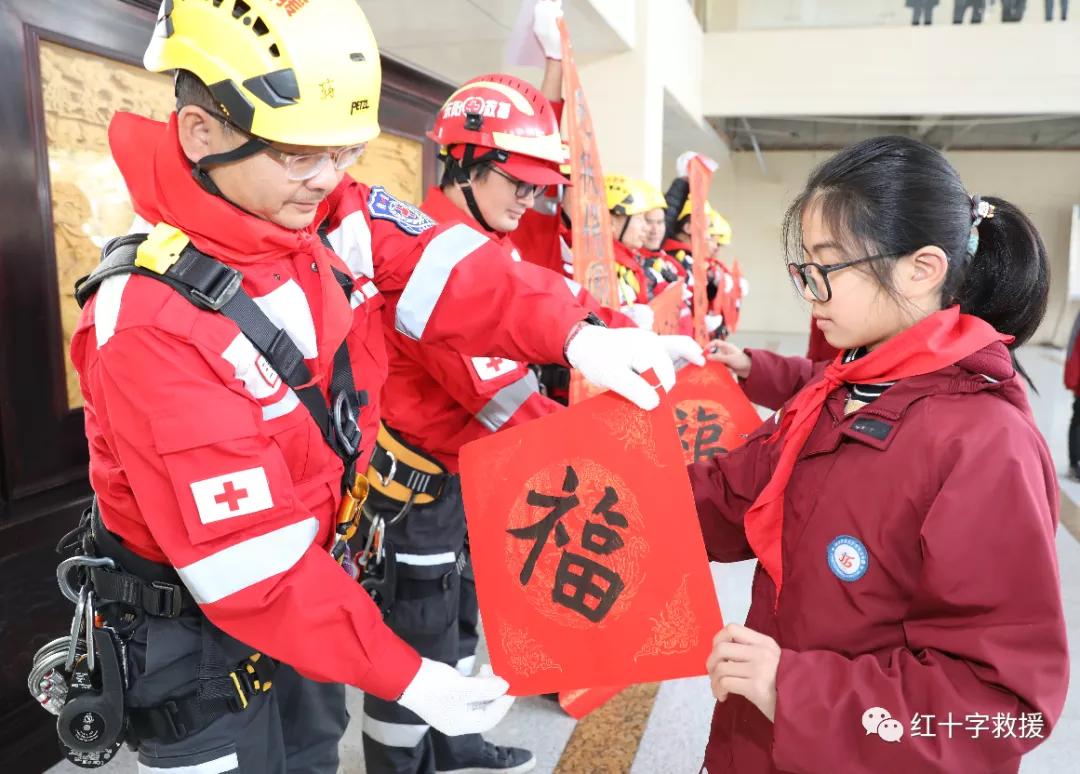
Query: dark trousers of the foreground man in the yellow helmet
(294,728)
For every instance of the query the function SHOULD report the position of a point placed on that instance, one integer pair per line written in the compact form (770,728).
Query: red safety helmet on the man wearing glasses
(504,120)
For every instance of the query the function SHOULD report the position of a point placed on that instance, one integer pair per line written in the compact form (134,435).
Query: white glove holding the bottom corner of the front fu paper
(455,704)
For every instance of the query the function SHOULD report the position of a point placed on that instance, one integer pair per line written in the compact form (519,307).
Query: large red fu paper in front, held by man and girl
(590,566)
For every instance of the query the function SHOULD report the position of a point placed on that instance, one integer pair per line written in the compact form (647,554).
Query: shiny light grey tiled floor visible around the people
(676,734)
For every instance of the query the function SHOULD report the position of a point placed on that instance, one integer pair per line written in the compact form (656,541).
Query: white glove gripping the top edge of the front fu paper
(615,358)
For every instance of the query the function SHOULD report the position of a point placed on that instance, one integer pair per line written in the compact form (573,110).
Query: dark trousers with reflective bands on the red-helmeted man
(436,612)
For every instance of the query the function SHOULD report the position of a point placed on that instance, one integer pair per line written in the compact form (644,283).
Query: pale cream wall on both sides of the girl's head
(1046,185)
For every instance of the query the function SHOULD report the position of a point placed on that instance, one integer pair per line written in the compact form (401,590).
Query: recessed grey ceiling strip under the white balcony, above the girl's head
(944,132)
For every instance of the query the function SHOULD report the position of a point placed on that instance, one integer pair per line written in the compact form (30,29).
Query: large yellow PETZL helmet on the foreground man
(301,73)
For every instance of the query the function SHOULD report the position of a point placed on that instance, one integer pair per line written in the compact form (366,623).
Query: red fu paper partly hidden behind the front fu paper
(712,414)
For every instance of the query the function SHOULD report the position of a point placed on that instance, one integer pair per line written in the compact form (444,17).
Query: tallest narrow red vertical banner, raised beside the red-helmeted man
(593,253)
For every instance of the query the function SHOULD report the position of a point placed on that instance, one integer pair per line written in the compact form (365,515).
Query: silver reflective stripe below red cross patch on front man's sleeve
(246,564)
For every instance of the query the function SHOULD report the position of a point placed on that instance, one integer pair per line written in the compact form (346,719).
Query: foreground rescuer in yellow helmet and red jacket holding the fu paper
(232,363)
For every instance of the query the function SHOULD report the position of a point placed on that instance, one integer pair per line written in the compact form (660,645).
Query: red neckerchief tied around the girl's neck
(937,343)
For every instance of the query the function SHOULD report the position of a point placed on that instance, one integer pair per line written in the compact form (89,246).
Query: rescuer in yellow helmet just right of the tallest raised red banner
(629,201)
